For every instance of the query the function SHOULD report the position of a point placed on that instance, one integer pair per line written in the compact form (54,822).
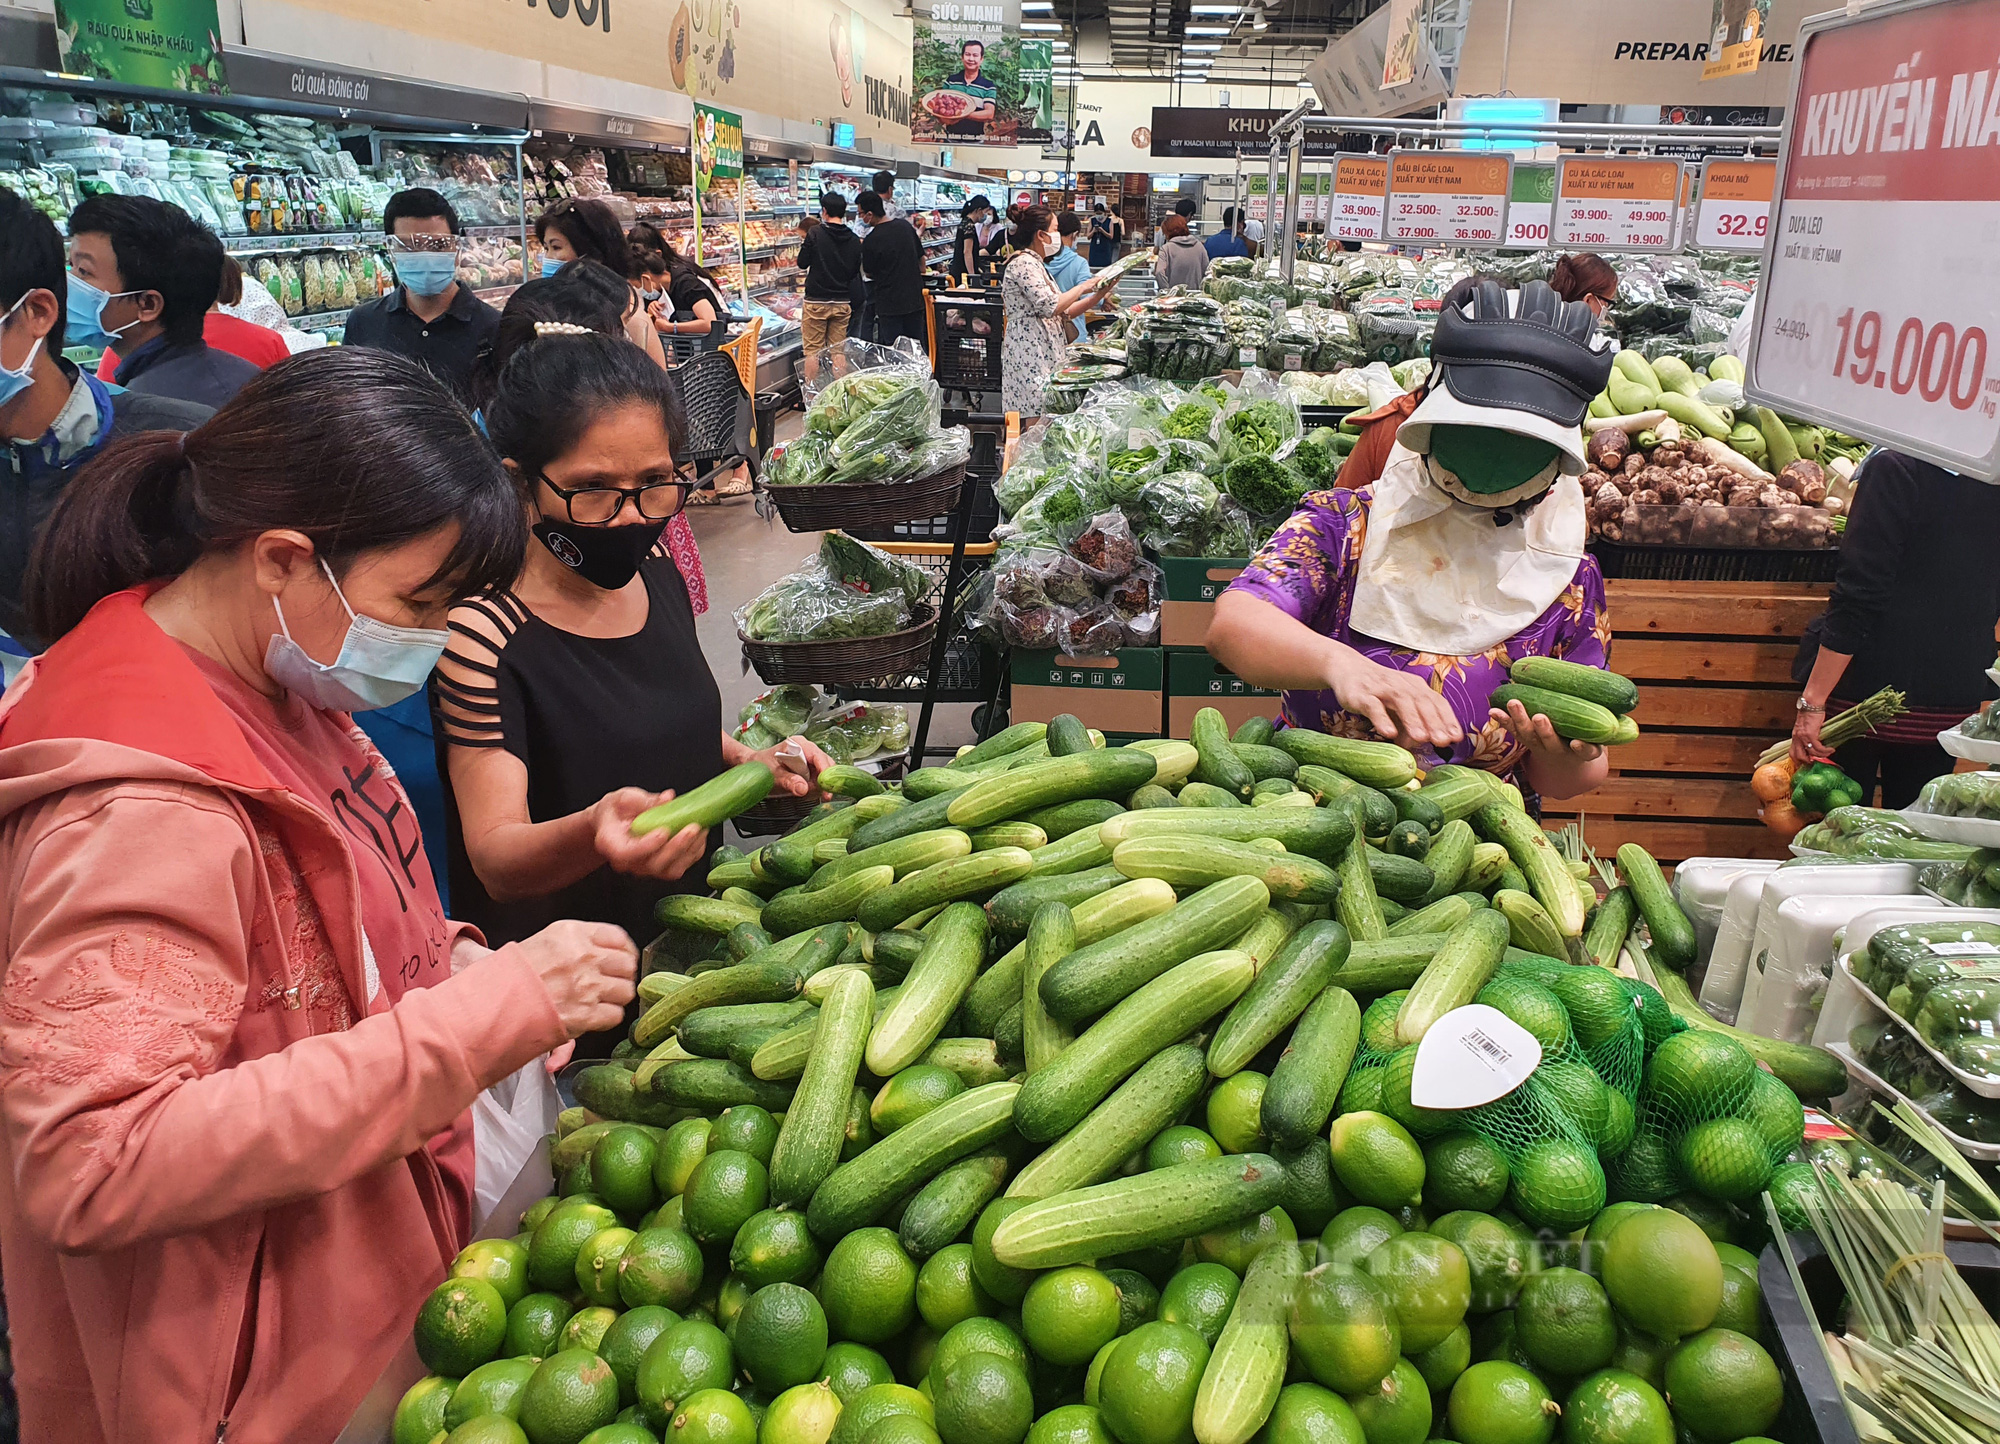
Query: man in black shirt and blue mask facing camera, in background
(431,317)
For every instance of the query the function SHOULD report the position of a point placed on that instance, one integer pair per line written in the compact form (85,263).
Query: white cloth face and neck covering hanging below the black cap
(1439,577)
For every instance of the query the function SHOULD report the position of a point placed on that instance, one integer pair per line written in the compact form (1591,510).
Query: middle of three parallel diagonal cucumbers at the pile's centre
(1165,1011)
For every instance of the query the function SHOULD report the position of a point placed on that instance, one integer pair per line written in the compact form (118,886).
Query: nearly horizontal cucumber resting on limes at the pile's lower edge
(1145,1211)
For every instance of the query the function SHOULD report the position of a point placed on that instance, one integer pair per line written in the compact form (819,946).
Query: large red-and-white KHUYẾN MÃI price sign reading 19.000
(1883,271)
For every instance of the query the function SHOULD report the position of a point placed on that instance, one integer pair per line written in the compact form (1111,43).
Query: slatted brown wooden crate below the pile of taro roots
(1713,663)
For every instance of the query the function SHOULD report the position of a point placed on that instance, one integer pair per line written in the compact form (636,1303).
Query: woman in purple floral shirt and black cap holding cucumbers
(1395,611)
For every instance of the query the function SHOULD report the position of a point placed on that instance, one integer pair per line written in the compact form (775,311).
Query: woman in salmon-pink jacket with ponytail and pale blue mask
(239,1039)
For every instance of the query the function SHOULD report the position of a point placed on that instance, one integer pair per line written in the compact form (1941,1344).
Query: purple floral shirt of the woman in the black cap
(1307,571)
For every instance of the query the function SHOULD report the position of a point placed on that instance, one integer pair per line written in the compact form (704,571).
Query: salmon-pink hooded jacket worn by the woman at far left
(219,1213)
